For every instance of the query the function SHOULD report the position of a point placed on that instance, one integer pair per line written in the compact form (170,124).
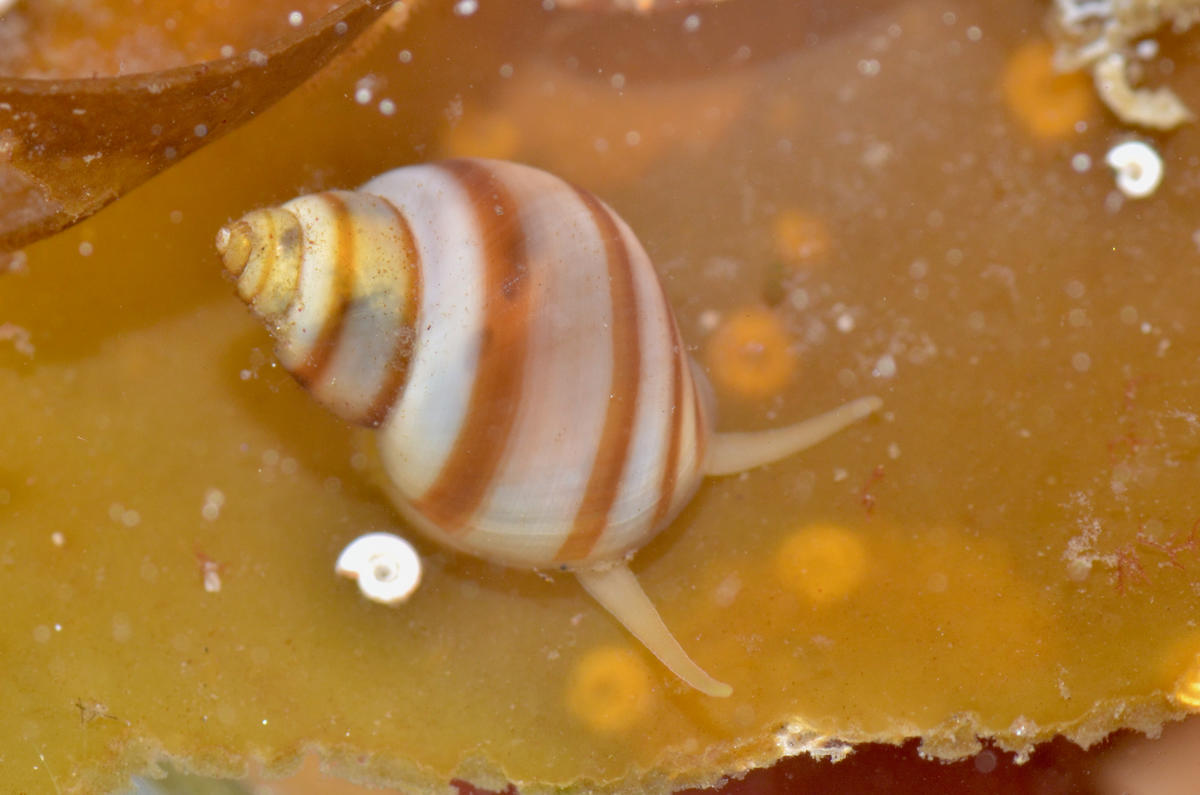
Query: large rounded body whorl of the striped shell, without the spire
(551,417)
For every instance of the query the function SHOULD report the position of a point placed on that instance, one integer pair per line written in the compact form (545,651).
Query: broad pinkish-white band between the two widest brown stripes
(544,474)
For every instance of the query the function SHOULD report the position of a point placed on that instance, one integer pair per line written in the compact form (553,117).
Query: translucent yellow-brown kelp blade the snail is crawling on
(893,205)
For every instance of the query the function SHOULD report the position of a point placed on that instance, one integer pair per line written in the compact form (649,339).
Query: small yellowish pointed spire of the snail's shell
(335,278)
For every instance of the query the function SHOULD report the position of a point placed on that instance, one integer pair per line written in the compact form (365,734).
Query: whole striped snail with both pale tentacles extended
(509,340)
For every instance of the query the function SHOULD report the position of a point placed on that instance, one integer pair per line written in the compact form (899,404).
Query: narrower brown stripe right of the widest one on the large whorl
(604,482)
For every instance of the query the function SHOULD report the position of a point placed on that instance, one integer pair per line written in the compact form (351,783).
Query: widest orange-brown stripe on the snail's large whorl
(467,474)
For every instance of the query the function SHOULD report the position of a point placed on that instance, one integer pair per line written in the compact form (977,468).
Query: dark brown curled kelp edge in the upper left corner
(68,148)
